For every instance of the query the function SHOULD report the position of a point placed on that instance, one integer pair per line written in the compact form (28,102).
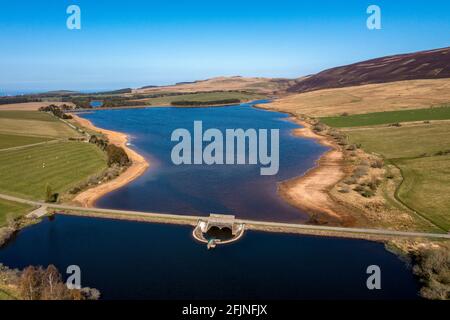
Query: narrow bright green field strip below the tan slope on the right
(389,117)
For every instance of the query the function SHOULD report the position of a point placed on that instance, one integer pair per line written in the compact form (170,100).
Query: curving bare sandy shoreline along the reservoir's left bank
(138,167)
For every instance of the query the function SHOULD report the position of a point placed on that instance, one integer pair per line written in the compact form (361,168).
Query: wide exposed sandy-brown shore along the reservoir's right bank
(310,191)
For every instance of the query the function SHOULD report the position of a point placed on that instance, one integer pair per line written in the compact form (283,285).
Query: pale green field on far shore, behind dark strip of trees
(203,97)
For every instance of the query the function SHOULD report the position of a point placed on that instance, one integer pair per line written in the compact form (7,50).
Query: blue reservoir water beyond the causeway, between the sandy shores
(202,189)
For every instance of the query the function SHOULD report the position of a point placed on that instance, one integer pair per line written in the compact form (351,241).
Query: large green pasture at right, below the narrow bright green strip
(413,148)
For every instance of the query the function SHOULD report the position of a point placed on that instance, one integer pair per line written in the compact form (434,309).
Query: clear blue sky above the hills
(131,43)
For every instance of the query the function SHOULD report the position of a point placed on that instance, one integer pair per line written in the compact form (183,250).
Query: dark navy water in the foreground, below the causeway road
(132,260)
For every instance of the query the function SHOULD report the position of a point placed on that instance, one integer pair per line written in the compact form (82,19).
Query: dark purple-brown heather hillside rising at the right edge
(432,64)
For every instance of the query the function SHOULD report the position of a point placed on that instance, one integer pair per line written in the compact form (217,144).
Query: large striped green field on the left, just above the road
(26,172)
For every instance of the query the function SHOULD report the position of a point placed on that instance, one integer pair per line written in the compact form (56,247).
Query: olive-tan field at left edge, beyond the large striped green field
(34,123)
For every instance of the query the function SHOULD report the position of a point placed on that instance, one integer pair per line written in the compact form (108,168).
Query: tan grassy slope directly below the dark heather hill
(400,95)
